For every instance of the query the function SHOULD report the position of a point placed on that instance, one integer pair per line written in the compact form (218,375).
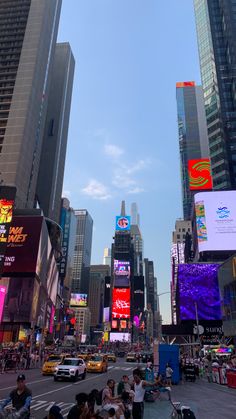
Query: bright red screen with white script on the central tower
(121,303)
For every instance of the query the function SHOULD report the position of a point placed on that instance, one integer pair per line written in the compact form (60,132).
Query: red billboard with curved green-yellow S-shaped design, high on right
(199,173)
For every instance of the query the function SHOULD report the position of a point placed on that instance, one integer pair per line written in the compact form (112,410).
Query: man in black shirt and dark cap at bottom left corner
(20,398)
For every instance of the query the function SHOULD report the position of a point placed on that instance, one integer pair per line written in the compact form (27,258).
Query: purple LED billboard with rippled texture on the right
(198,283)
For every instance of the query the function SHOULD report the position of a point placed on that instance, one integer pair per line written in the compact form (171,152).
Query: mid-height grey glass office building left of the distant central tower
(82,252)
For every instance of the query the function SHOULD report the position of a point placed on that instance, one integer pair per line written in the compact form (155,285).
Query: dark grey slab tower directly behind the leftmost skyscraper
(53,154)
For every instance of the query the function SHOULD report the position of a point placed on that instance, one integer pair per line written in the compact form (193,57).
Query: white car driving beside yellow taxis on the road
(71,368)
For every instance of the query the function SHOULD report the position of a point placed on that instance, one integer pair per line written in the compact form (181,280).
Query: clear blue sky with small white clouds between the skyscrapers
(123,138)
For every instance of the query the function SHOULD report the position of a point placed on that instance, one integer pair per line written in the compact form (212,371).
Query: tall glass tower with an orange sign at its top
(193,141)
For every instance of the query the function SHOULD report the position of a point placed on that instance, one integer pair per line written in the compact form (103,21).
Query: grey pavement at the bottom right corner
(207,400)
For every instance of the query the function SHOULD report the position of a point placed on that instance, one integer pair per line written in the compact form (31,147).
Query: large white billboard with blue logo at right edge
(216,220)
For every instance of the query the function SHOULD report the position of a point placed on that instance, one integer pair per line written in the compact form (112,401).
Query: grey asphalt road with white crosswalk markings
(46,392)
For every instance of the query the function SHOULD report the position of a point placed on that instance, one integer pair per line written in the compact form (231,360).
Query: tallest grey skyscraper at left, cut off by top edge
(28,38)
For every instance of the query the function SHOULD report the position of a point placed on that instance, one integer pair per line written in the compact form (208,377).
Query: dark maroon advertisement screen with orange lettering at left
(23,245)
